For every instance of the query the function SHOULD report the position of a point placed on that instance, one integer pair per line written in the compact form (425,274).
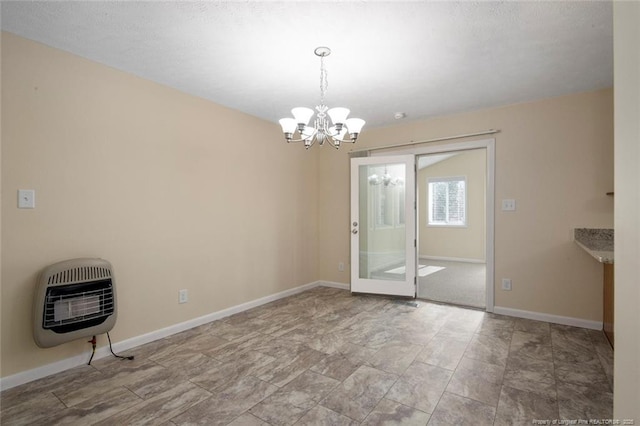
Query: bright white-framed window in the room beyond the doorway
(447,201)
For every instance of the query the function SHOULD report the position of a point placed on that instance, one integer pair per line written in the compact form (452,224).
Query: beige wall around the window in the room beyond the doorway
(455,242)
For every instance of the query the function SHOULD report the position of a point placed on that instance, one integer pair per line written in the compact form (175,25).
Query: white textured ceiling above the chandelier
(421,58)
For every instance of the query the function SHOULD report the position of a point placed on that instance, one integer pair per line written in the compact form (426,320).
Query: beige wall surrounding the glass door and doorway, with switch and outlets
(555,157)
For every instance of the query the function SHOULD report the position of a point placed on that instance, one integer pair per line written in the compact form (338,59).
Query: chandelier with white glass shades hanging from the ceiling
(323,130)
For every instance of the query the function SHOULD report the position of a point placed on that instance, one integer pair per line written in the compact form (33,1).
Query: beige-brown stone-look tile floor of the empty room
(325,357)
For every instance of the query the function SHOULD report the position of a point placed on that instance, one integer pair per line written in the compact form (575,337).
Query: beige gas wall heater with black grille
(74,299)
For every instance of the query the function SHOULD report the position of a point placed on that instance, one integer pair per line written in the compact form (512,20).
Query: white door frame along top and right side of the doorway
(490,146)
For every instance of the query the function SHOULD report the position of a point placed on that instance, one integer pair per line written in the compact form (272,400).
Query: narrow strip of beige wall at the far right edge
(627,205)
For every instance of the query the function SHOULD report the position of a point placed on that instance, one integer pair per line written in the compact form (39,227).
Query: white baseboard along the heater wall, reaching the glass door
(78,360)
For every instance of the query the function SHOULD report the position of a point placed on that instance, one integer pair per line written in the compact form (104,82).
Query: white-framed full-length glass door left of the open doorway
(383,251)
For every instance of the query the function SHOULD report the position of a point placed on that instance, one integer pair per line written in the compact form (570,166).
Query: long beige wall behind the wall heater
(175,191)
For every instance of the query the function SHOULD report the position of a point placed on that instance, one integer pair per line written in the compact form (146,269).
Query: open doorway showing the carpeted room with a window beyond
(451,194)
